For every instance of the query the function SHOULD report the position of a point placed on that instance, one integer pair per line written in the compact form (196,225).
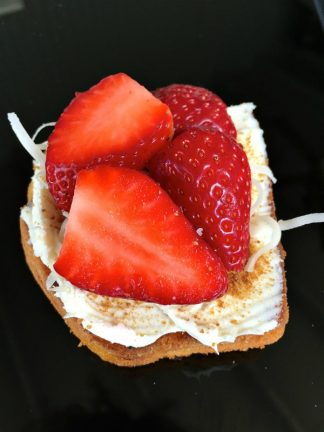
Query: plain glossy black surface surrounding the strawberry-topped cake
(268,52)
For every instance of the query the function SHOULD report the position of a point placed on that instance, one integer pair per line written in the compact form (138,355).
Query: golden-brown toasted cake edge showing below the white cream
(168,346)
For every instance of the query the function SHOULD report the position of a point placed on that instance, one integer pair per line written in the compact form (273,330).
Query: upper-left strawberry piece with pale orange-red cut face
(116,122)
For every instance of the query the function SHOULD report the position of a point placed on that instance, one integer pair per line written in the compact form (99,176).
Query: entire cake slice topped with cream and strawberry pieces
(238,299)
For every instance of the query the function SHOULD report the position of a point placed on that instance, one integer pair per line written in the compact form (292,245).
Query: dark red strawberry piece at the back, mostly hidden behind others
(193,106)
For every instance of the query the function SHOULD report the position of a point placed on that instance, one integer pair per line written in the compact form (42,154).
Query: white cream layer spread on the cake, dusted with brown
(252,304)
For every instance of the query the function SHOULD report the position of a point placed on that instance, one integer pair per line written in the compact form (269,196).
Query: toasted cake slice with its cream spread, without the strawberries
(253,313)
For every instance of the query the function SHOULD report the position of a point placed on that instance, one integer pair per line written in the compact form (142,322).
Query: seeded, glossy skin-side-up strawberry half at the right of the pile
(208,175)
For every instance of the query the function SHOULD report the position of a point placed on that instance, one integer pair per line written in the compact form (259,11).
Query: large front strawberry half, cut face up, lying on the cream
(126,238)
